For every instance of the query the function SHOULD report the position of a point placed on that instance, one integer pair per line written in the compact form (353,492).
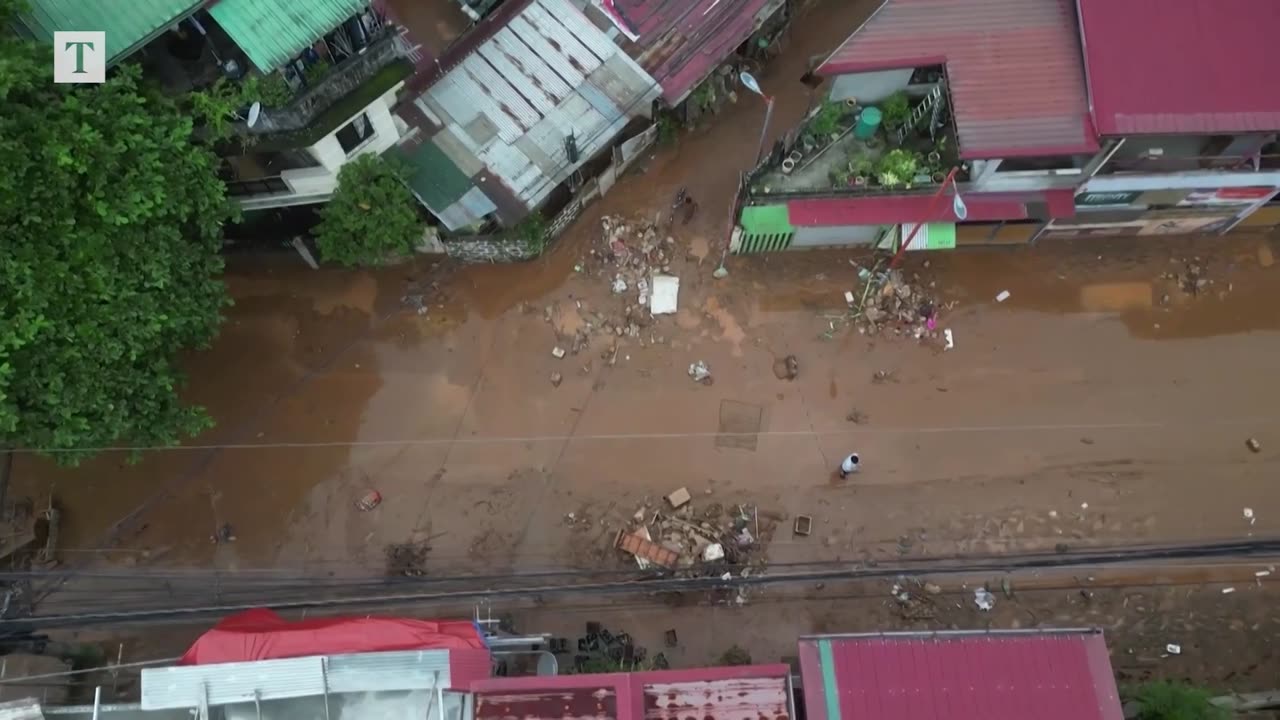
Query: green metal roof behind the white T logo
(129,24)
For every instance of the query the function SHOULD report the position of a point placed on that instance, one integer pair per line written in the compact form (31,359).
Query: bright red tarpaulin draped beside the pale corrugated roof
(262,635)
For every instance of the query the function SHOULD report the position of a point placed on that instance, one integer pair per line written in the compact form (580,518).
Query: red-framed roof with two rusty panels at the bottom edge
(752,692)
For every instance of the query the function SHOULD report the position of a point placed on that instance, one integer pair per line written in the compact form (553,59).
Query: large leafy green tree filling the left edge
(111,226)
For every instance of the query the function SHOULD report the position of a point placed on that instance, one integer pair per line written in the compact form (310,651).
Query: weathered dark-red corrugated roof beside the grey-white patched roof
(683,42)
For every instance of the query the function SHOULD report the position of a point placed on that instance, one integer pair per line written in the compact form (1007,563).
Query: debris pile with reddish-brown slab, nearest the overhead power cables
(711,541)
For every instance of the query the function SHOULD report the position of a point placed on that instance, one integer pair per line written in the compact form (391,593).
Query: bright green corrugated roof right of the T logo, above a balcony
(273,31)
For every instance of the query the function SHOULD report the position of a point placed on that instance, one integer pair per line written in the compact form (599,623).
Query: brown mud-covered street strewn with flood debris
(1107,402)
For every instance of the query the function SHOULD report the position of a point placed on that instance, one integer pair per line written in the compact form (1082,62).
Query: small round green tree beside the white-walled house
(372,218)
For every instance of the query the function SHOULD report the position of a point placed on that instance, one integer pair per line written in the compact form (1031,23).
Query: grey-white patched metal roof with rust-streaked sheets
(515,101)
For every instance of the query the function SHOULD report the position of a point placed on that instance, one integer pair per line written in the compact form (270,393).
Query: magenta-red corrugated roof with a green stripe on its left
(1011,676)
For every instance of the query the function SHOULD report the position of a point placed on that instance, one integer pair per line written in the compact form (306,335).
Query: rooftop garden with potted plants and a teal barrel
(886,147)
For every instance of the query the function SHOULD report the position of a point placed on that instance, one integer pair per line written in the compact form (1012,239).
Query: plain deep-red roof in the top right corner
(1186,67)
